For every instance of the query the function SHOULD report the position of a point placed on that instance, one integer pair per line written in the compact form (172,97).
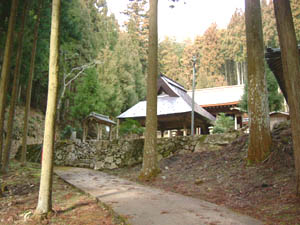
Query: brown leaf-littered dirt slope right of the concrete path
(265,191)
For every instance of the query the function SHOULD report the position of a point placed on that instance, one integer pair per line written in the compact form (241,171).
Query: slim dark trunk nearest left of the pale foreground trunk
(29,84)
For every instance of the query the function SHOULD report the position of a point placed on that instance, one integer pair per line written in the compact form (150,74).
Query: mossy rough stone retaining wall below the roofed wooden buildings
(123,153)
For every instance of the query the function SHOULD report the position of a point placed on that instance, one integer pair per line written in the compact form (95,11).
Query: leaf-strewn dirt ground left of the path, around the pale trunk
(70,206)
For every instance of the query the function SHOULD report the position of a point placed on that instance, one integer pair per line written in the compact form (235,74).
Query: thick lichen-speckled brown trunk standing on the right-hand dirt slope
(260,137)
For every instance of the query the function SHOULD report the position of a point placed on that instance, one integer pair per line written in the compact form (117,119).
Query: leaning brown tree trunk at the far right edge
(291,73)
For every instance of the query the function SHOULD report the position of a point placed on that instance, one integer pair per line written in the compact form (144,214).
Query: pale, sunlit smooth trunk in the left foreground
(45,194)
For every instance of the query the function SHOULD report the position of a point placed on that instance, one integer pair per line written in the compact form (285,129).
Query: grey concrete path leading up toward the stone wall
(144,205)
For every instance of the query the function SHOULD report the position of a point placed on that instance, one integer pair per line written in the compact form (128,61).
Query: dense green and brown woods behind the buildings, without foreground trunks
(103,66)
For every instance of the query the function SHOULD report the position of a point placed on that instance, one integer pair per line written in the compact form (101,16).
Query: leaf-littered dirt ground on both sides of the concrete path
(265,191)
